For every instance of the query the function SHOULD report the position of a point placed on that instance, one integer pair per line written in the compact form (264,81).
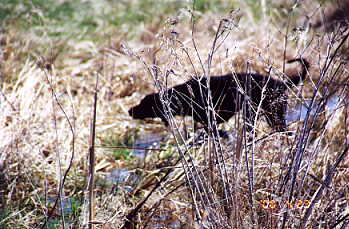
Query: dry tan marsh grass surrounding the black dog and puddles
(46,102)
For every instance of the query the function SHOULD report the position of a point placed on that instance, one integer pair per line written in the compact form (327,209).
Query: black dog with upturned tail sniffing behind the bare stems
(228,93)
